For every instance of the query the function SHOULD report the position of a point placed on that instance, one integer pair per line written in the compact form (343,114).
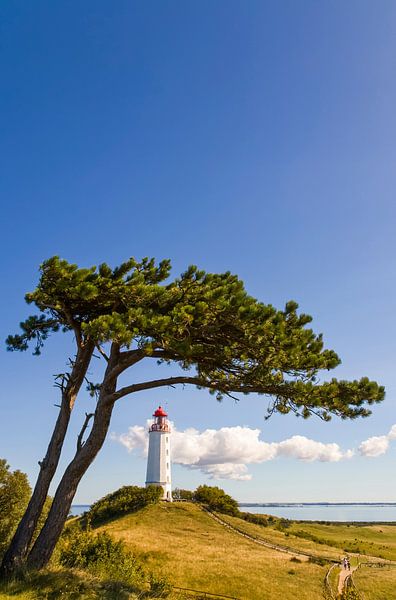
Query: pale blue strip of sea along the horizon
(373,512)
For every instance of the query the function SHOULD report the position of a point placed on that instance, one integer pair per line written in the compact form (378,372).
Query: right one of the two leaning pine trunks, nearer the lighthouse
(43,548)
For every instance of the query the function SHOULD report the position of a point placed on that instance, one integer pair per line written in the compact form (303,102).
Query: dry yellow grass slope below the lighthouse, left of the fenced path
(196,552)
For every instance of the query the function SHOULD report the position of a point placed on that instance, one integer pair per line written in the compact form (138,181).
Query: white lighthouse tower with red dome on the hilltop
(158,461)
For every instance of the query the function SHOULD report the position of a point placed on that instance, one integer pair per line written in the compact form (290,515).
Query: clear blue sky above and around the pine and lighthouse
(257,137)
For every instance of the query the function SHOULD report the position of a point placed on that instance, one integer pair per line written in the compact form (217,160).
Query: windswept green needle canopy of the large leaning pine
(222,338)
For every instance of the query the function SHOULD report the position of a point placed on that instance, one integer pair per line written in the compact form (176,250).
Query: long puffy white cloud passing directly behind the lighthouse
(225,453)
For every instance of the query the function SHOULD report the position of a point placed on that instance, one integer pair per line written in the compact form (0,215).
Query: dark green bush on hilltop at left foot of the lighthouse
(125,500)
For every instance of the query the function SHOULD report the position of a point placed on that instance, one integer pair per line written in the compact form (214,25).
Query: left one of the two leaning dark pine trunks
(19,546)
